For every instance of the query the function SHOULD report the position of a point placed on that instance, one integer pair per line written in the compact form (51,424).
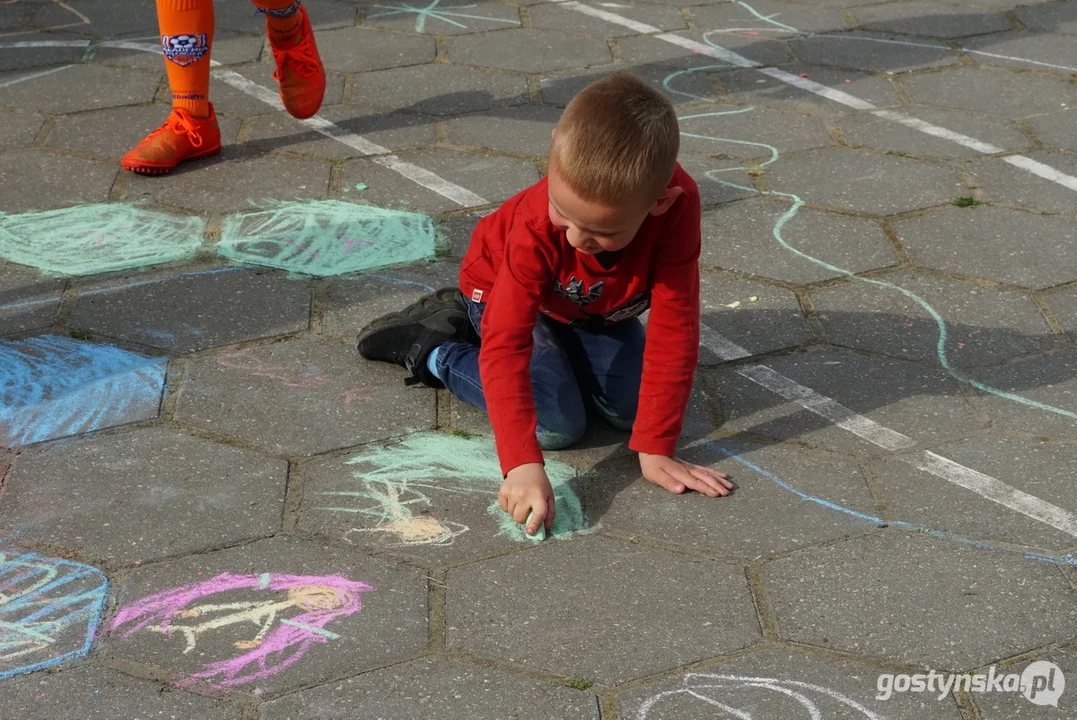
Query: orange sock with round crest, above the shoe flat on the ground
(187,34)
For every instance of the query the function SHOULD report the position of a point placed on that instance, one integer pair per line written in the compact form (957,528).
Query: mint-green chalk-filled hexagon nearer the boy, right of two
(327,238)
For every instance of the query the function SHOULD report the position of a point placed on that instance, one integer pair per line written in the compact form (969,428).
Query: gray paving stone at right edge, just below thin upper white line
(980,90)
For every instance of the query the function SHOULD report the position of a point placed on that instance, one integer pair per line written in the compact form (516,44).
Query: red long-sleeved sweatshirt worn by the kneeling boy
(521,264)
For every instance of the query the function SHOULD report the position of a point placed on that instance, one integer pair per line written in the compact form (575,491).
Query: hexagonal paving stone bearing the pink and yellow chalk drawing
(269,617)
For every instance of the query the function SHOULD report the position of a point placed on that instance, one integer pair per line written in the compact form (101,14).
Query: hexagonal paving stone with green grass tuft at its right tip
(877,185)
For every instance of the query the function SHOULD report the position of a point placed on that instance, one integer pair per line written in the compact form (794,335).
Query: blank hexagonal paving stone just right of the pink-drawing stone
(569,627)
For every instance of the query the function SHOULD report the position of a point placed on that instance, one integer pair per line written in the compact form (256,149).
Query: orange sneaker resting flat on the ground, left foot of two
(184,137)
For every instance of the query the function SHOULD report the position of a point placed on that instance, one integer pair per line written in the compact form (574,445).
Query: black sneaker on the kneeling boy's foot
(407,338)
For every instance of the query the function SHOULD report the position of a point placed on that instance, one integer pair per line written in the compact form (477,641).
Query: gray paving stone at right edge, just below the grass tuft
(995,244)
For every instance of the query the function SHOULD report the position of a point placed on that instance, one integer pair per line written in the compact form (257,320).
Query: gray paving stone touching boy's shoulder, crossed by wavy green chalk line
(742,237)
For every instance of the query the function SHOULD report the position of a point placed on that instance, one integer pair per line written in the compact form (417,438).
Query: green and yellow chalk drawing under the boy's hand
(394,482)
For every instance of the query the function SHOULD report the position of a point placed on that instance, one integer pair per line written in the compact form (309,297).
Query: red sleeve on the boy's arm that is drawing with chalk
(506,355)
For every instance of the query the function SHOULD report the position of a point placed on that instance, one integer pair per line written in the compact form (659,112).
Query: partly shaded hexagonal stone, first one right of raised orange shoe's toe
(440,90)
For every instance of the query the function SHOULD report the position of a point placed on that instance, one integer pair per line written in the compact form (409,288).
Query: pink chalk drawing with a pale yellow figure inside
(283,639)
